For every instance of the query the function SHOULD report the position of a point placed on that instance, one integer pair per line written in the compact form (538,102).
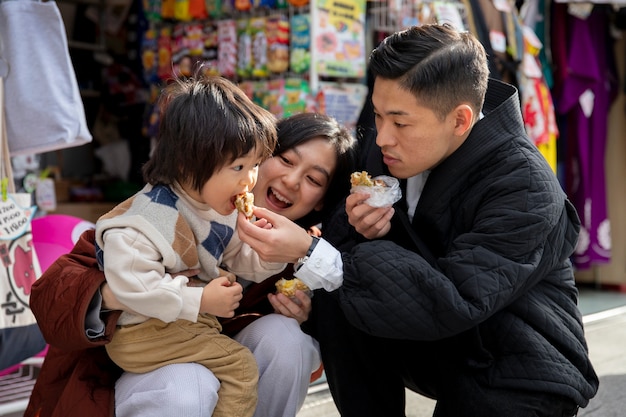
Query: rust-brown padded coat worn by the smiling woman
(77,376)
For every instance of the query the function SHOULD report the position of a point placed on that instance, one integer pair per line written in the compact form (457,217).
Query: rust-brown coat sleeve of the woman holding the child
(61,296)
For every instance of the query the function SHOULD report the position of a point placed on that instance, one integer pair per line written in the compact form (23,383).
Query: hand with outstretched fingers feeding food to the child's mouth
(284,241)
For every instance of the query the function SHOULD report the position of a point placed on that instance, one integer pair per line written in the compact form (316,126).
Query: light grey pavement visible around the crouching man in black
(606,336)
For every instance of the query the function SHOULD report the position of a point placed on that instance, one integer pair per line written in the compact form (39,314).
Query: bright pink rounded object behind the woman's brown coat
(55,235)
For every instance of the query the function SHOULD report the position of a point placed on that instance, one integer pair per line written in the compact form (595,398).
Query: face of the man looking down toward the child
(411,137)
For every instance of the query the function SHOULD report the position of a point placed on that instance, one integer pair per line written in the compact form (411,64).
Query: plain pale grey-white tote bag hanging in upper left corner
(43,107)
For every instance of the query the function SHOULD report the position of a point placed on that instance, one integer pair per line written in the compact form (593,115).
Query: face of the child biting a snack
(220,190)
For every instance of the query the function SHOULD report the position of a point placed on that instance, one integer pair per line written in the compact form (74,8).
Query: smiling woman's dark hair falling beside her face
(302,127)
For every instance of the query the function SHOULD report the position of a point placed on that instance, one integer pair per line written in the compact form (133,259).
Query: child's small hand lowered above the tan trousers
(220,297)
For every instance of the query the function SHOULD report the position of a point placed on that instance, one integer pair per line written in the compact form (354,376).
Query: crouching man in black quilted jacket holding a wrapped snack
(462,291)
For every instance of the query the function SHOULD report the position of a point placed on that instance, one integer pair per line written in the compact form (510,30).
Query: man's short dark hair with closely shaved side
(440,66)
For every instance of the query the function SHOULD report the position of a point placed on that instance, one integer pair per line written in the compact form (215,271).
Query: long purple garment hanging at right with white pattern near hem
(591,69)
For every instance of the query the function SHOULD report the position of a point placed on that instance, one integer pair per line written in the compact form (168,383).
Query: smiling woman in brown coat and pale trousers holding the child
(304,179)
